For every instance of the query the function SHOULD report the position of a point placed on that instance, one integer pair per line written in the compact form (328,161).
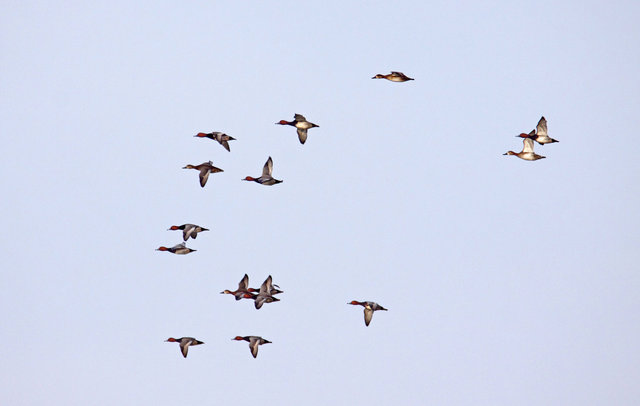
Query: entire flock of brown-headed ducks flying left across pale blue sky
(267,290)
